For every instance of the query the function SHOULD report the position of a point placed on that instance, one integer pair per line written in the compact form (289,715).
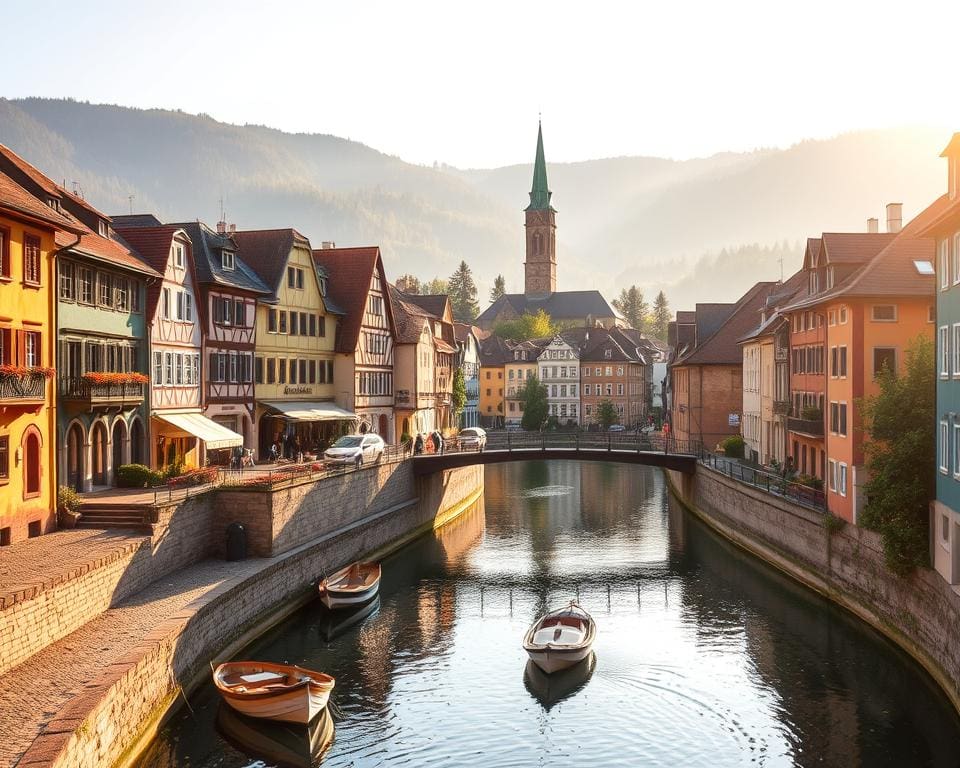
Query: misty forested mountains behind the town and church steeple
(684,226)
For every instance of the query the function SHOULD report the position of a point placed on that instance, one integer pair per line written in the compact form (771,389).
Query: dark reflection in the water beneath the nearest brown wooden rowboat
(277,744)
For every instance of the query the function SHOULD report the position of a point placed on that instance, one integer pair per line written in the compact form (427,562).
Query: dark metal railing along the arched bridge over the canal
(634,442)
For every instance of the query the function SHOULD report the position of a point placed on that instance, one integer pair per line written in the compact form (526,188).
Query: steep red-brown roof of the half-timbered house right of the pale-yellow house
(349,275)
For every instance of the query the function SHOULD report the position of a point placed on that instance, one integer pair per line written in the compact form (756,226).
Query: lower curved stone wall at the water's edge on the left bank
(115,716)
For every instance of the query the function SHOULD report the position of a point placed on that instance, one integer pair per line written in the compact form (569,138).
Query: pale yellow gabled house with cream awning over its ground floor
(296,330)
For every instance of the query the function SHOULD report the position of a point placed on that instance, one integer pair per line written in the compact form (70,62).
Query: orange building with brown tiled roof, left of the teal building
(869,296)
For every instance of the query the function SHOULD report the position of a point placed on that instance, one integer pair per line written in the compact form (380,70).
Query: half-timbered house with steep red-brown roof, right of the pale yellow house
(365,338)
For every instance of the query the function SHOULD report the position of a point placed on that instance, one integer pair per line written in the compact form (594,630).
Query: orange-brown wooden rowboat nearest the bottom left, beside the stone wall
(273,691)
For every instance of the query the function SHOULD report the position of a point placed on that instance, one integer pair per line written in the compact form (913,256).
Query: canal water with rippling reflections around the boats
(703,656)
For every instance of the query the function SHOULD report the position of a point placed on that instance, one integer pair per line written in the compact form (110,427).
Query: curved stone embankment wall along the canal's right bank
(919,613)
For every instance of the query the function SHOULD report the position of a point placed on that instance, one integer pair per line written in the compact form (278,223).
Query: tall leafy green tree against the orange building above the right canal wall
(900,445)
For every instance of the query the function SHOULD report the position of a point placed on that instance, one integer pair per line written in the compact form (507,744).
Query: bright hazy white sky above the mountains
(463,84)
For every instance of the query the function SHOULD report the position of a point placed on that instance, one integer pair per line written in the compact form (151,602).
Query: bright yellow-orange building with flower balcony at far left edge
(30,234)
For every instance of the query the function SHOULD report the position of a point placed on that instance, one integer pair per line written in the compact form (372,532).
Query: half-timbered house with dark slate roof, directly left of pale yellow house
(229,290)
